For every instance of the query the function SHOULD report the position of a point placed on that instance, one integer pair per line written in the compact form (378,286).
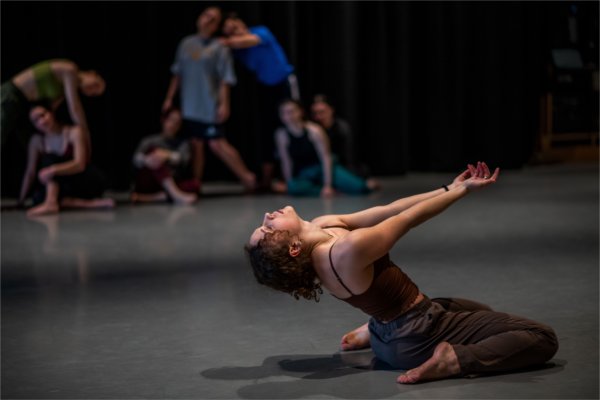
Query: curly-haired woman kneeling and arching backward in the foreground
(348,255)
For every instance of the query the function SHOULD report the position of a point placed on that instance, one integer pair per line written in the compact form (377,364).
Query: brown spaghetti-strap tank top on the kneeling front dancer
(390,294)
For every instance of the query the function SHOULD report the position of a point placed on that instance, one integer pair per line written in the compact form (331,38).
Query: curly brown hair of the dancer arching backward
(274,267)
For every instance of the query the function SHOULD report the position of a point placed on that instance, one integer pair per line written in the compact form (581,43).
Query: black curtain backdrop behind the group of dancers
(426,85)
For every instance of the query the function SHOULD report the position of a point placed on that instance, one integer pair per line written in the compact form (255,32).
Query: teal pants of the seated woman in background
(309,181)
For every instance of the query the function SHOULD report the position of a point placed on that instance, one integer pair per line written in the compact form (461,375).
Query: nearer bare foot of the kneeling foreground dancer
(442,364)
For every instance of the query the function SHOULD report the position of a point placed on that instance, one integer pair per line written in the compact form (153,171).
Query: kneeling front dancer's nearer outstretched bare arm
(363,246)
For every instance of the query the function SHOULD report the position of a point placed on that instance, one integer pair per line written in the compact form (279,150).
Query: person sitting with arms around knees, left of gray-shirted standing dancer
(161,163)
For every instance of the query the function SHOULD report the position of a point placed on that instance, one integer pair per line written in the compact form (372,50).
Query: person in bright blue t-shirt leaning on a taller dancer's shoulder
(259,51)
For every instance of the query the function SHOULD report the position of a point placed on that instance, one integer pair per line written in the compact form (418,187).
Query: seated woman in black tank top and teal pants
(306,162)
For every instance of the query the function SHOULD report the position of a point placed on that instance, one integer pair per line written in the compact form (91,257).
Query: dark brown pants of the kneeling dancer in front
(484,340)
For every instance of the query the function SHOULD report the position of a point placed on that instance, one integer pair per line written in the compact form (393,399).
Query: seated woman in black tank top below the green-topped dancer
(58,168)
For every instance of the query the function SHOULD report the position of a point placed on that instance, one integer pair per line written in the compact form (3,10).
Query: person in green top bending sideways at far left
(53,81)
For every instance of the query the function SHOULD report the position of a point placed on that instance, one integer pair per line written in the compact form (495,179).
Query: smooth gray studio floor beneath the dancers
(158,301)
